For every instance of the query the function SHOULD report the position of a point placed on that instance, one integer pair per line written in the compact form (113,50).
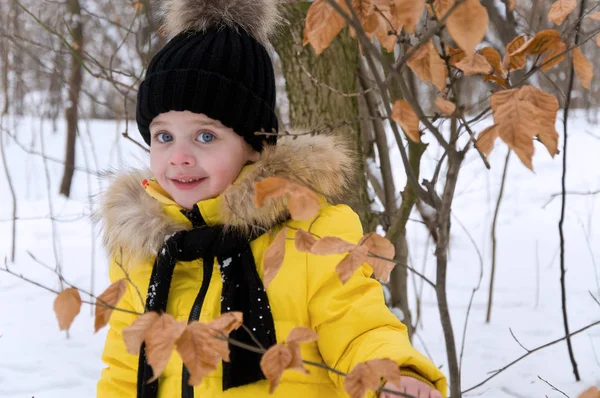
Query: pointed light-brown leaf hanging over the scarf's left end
(160,342)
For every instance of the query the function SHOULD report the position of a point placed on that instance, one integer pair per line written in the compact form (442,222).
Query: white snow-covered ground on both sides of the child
(36,360)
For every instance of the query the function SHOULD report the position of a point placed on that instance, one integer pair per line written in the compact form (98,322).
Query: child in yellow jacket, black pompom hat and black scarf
(193,243)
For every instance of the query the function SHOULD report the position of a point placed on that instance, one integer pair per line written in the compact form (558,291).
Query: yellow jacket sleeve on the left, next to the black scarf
(119,378)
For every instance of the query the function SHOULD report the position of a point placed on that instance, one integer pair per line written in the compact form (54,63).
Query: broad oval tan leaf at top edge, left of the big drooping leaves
(467,24)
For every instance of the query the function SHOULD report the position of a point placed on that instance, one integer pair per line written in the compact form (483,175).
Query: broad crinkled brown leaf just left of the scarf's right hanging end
(200,351)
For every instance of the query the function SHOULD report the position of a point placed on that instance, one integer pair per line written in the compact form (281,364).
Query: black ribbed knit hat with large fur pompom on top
(216,64)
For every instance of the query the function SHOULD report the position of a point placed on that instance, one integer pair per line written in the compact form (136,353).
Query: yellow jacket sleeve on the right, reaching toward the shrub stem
(352,320)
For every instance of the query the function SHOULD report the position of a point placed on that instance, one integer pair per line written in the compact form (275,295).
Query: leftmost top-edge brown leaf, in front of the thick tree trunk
(322,25)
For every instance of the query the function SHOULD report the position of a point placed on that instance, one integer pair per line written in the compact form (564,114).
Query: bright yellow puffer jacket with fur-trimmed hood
(351,319)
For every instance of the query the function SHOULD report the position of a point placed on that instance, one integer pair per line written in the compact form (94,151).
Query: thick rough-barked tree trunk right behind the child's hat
(312,104)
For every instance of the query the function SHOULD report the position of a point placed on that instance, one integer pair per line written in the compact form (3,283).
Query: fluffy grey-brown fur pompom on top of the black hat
(257,17)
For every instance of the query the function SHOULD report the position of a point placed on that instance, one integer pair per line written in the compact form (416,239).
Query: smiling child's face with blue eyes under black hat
(194,157)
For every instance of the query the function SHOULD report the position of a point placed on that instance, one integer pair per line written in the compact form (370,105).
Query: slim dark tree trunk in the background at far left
(75,81)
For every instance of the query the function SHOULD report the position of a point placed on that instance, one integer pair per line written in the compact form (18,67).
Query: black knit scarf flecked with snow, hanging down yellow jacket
(243,291)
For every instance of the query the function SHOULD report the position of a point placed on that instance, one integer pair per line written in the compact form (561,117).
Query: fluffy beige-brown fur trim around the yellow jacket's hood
(136,223)
